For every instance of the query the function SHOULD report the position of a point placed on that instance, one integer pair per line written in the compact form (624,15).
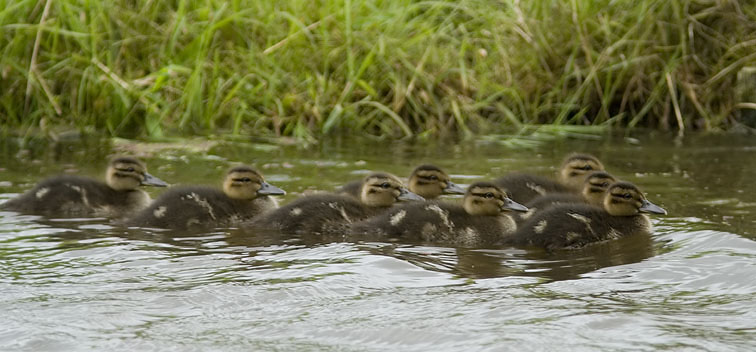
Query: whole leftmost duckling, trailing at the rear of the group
(74,196)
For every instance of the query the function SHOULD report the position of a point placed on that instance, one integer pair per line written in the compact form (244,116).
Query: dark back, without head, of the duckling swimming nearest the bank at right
(523,188)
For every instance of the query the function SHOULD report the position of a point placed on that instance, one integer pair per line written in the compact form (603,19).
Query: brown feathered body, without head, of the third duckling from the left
(315,214)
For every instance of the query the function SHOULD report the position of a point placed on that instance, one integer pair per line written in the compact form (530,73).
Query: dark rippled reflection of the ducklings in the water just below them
(461,262)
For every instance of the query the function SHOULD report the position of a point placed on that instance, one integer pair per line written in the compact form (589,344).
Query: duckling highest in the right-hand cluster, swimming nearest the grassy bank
(524,187)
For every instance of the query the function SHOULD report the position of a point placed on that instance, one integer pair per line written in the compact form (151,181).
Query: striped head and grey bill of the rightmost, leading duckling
(625,199)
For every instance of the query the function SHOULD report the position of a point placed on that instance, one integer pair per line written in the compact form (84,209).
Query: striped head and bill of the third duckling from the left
(383,190)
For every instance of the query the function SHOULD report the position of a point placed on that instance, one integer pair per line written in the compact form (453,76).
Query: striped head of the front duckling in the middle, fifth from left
(485,198)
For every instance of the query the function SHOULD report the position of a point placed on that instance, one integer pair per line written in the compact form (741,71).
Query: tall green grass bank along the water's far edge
(392,67)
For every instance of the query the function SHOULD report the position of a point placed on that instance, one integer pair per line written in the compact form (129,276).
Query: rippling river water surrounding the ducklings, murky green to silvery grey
(86,285)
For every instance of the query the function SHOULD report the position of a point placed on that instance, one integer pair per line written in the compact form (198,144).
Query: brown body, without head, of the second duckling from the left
(197,207)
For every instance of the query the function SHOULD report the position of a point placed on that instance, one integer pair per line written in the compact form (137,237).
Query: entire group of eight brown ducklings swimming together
(584,205)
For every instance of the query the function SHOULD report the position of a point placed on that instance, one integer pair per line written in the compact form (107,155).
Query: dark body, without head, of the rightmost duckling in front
(576,225)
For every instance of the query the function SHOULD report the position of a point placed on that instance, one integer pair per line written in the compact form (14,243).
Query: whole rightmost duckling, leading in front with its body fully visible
(576,225)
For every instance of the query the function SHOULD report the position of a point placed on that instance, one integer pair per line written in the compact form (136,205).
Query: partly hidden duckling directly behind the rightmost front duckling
(596,183)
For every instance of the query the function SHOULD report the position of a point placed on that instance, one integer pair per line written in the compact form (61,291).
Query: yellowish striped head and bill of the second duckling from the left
(245,183)
